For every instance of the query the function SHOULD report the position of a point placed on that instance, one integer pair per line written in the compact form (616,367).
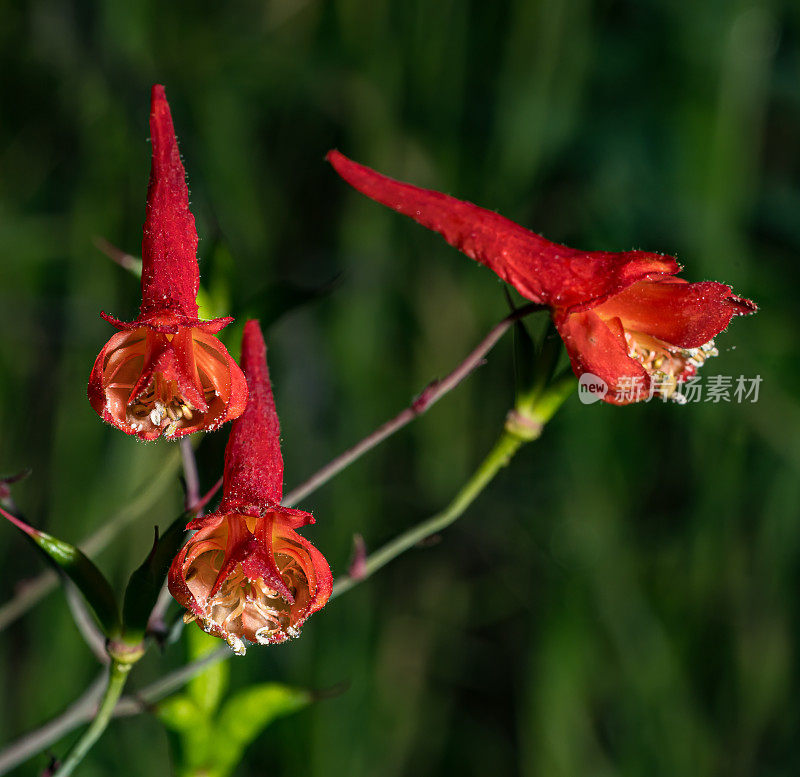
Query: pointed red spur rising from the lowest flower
(253,462)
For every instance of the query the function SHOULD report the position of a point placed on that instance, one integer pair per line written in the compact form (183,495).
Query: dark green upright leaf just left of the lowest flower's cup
(146,582)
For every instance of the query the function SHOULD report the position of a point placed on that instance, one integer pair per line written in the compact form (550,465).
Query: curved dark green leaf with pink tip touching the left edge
(88,579)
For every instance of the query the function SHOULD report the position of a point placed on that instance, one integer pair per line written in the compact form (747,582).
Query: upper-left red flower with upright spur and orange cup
(166,373)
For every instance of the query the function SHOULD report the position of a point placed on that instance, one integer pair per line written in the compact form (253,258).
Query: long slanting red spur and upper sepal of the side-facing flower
(545,272)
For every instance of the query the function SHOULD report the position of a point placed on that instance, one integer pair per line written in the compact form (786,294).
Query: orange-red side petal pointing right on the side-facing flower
(683,314)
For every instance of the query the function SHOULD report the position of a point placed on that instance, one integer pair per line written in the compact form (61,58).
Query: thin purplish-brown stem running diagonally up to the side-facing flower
(429,396)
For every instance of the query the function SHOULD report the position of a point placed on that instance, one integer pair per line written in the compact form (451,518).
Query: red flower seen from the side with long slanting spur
(622,316)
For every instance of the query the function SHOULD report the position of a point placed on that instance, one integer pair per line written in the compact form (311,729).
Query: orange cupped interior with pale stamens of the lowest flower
(244,608)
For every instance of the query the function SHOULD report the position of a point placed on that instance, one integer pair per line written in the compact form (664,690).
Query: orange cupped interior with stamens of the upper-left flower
(161,407)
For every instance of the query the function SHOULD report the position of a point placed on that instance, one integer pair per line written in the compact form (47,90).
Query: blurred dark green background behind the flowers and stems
(623,600)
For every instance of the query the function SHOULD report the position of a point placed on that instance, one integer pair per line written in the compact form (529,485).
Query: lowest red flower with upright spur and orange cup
(247,574)
